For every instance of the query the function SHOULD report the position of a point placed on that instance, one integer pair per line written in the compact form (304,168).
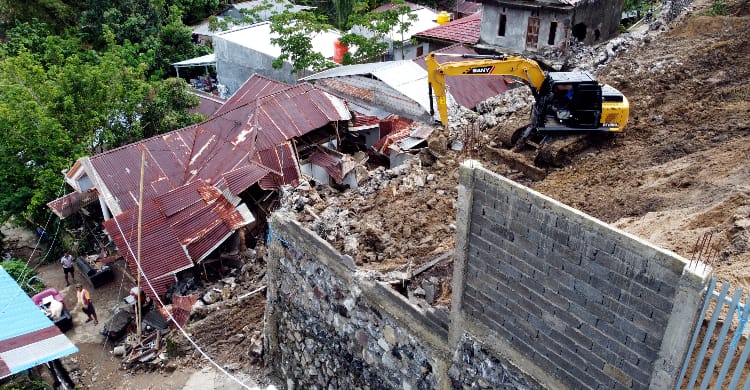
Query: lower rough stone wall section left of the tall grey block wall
(328,325)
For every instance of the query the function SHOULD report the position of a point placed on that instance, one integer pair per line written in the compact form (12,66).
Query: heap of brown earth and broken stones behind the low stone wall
(394,216)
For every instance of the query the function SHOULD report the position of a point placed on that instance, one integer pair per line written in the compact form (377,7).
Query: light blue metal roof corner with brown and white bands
(27,337)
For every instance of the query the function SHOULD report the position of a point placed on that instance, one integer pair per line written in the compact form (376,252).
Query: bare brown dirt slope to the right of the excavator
(682,168)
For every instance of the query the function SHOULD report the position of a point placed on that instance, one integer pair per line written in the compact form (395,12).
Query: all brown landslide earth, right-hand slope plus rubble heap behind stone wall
(679,172)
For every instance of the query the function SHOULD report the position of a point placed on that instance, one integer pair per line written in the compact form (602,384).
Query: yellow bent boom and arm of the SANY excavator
(482,65)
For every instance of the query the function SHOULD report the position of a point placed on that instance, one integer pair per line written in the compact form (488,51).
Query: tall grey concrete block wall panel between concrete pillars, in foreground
(565,298)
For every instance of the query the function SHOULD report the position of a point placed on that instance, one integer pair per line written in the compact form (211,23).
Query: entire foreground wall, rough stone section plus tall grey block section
(543,296)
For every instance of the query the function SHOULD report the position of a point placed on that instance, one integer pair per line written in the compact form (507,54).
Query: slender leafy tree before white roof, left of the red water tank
(295,31)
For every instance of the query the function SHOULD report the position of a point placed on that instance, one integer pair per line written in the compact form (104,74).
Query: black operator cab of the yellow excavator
(569,101)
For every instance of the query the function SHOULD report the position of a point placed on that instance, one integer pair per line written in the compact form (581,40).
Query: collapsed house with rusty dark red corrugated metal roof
(203,182)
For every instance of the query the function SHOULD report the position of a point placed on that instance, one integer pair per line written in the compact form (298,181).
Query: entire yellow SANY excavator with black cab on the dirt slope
(568,105)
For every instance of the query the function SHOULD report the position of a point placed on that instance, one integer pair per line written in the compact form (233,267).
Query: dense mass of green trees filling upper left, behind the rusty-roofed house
(66,94)
